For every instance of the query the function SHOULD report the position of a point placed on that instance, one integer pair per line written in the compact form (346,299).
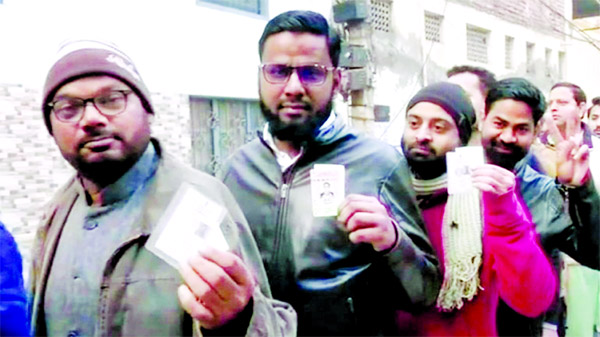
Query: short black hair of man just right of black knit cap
(518,89)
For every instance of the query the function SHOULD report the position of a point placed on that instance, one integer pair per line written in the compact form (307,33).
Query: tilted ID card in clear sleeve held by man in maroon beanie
(191,221)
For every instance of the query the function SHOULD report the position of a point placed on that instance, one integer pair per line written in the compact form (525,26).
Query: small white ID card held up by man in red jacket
(459,164)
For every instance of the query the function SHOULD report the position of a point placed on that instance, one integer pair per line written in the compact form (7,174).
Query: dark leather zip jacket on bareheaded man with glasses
(337,287)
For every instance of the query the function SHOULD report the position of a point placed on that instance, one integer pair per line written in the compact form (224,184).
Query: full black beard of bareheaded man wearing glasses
(297,132)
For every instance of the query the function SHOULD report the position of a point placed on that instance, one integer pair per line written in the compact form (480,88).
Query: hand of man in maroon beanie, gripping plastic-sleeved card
(218,286)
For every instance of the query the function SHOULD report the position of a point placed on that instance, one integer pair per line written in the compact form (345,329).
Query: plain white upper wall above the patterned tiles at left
(178,46)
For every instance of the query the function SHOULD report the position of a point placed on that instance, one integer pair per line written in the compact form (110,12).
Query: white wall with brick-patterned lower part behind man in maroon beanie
(179,47)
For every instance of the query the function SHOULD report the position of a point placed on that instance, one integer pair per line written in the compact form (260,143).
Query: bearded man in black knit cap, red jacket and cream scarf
(482,235)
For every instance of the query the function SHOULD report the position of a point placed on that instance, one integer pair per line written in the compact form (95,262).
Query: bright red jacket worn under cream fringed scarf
(514,268)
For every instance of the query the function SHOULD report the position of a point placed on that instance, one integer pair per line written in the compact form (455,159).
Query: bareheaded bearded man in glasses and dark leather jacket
(344,269)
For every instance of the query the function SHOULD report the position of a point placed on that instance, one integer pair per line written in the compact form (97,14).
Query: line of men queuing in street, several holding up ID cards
(405,252)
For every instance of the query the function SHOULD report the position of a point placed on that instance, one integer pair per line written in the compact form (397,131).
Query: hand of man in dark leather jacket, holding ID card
(368,221)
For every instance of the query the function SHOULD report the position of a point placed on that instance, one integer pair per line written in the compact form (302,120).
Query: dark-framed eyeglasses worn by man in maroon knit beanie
(70,110)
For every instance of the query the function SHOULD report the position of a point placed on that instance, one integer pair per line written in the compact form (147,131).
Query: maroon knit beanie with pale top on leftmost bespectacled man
(82,58)
